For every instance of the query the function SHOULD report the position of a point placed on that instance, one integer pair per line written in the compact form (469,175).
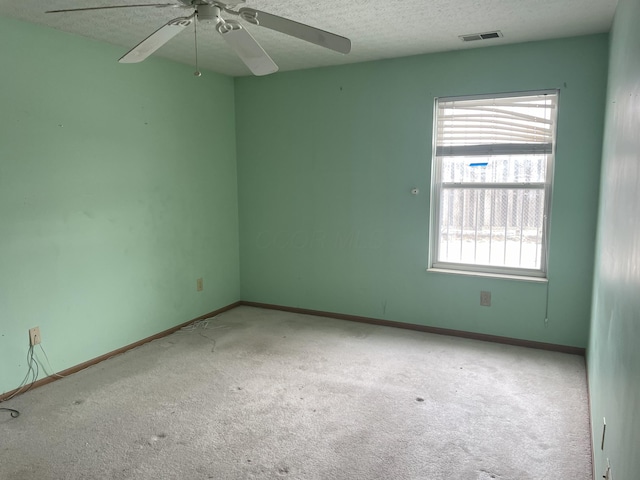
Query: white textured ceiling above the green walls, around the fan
(377,28)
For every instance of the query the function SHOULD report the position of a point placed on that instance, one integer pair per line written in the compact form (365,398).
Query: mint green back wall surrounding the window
(326,161)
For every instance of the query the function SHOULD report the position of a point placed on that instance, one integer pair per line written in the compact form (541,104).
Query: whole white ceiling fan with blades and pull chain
(233,32)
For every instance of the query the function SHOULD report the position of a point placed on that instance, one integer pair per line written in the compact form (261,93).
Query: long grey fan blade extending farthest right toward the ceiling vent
(296,29)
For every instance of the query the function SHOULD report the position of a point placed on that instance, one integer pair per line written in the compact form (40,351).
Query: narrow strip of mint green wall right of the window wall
(614,347)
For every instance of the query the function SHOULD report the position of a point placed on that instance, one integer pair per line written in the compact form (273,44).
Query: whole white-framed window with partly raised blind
(491,183)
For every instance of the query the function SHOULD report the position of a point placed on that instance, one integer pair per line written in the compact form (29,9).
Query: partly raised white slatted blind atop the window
(496,126)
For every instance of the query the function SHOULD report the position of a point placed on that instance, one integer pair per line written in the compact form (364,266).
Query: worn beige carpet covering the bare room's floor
(259,394)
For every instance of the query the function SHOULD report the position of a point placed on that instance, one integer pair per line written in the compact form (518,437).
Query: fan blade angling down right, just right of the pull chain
(246,47)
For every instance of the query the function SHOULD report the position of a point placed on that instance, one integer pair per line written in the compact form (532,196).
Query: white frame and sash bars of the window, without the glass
(437,187)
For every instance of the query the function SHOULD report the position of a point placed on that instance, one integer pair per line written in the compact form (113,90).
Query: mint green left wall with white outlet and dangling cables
(117,191)
